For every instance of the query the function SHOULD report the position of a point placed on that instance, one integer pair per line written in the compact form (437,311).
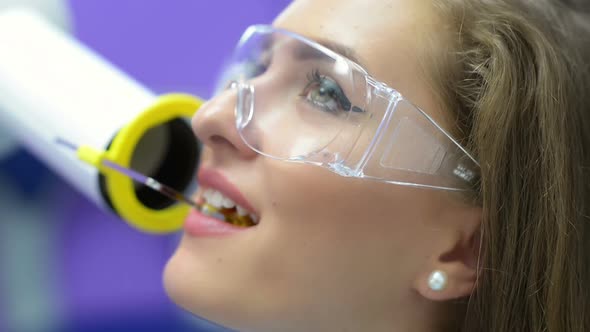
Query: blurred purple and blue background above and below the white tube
(65,265)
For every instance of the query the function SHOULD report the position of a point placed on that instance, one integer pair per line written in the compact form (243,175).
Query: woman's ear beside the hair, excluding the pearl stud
(457,260)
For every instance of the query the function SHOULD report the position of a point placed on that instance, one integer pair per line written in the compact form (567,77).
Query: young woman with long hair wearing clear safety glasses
(396,165)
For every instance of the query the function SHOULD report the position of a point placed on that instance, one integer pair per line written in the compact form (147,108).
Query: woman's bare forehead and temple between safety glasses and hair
(389,37)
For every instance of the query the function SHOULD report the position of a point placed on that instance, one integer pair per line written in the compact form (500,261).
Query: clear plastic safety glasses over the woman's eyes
(299,101)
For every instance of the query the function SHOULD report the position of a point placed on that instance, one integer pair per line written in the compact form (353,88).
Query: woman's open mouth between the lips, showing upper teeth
(220,207)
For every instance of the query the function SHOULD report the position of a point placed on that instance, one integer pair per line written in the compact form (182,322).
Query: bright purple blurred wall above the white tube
(169,45)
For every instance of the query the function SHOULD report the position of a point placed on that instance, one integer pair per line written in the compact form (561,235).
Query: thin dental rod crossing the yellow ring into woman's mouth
(230,213)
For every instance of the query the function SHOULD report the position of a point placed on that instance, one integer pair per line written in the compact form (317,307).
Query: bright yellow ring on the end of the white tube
(120,188)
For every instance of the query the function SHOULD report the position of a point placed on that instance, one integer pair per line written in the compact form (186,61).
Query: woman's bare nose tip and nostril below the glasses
(214,125)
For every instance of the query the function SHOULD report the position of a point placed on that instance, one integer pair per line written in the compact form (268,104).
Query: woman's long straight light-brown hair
(518,82)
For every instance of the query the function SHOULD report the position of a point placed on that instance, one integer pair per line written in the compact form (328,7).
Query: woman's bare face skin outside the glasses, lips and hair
(331,253)
